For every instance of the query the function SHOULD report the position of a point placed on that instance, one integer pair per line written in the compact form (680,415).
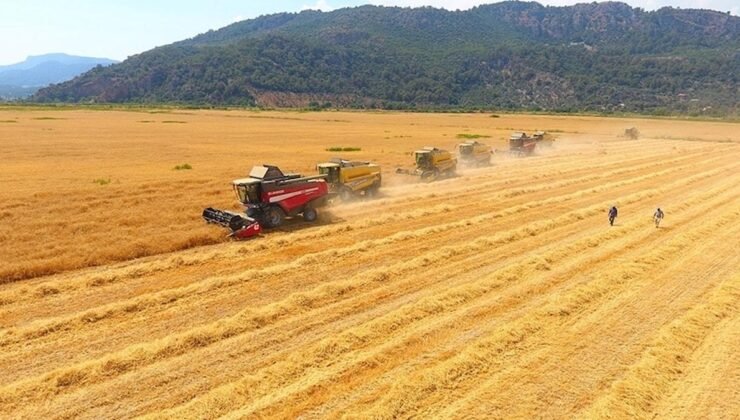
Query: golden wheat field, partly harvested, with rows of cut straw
(500,293)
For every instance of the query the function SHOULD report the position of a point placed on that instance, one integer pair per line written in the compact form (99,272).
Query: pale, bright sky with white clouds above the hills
(118,29)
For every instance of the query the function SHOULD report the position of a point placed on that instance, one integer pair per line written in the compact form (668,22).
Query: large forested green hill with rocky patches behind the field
(511,55)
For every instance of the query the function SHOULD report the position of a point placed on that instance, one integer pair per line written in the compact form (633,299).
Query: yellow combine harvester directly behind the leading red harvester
(349,178)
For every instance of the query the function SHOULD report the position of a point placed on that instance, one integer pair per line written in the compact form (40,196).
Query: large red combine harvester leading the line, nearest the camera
(269,197)
